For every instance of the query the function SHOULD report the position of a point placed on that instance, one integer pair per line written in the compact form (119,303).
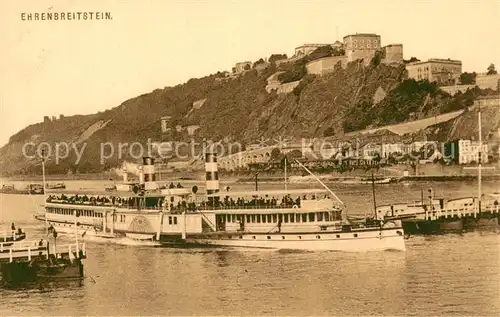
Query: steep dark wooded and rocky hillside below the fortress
(240,109)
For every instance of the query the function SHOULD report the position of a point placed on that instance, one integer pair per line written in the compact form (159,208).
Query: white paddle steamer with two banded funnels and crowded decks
(306,219)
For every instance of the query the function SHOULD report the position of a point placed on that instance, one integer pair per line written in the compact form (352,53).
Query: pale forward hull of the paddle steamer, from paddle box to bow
(359,241)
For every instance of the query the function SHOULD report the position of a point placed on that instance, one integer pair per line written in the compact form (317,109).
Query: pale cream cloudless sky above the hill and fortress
(82,67)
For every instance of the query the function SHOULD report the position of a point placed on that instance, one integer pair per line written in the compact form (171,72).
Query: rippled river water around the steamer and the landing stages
(453,274)
